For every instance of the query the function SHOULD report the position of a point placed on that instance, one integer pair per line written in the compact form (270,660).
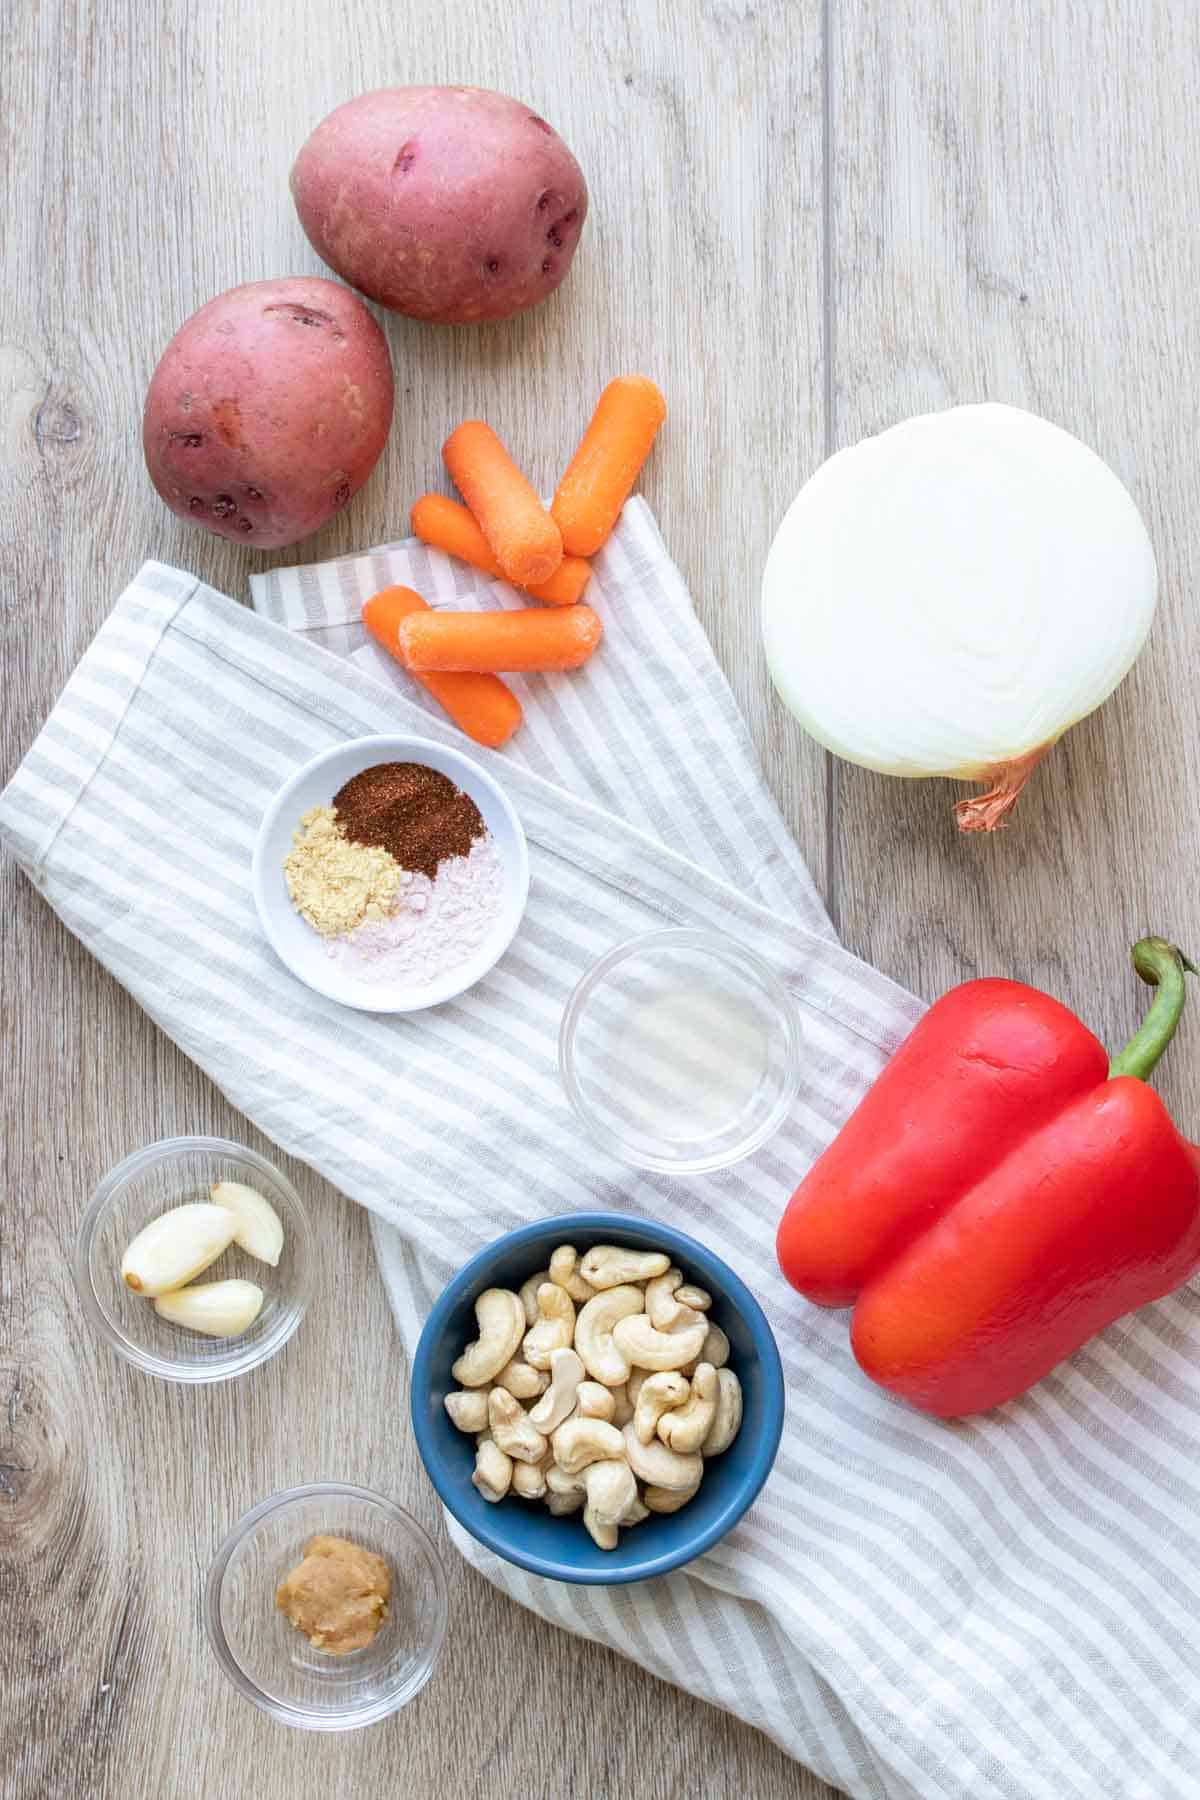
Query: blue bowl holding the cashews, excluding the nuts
(523,1531)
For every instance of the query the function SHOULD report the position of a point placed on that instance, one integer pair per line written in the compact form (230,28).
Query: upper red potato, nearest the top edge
(445,204)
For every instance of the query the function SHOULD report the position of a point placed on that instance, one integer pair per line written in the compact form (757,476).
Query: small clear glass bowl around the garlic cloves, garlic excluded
(147,1185)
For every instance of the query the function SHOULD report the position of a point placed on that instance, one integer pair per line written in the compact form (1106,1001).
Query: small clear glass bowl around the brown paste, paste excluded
(273,1664)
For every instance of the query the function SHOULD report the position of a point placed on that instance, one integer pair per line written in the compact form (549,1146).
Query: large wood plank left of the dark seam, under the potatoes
(145,170)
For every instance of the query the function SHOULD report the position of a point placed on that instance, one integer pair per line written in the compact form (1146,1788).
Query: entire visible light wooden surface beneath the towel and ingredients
(807,220)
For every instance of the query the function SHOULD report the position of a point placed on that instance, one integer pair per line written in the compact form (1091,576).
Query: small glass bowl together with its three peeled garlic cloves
(195,1259)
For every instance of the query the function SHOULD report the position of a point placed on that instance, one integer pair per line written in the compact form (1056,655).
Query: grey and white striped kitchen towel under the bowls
(992,1608)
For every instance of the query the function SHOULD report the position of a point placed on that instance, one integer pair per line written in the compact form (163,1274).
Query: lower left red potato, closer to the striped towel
(269,409)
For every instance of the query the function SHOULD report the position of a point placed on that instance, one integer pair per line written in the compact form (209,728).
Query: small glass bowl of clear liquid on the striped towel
(681,1052)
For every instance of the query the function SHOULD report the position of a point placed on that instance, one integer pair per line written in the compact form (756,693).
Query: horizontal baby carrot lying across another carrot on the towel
(528,640)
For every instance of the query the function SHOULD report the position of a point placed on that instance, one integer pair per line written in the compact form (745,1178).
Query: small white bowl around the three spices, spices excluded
(303,949)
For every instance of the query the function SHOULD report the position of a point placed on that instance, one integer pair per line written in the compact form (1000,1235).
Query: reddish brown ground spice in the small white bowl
(413,813)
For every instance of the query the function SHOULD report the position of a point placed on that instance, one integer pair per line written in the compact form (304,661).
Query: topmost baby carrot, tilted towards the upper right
(600,476)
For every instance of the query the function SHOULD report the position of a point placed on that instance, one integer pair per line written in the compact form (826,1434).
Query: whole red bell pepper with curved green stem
(1001,1194)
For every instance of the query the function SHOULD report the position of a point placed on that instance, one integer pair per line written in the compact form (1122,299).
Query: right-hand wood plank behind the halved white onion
(1016,204)
